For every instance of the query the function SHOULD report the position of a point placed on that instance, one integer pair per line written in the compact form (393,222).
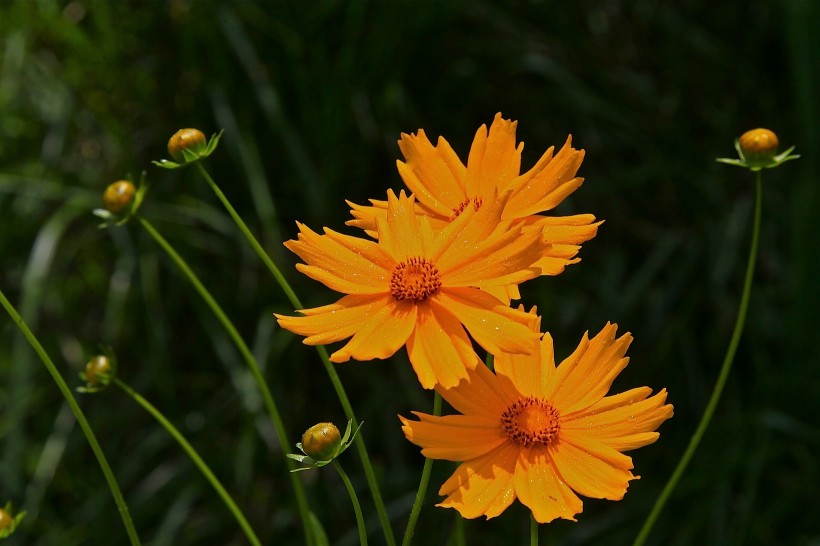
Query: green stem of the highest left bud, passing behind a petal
(370,474)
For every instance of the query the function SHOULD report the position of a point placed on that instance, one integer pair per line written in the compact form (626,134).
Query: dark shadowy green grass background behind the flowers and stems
(312,97)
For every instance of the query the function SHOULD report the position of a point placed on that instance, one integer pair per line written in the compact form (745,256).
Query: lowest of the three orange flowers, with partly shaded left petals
(539,433)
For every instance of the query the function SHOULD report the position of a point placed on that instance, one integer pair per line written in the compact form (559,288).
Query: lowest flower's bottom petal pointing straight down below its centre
(540,488)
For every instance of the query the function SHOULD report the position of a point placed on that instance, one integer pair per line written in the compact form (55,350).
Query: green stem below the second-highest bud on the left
(247,355)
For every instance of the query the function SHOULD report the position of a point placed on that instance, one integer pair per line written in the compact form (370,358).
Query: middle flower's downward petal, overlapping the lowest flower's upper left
(439,349)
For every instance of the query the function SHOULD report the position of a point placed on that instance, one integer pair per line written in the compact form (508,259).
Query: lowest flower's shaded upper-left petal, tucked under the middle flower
(479,395)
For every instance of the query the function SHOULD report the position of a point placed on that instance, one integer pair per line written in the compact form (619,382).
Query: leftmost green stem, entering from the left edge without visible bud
(78,413)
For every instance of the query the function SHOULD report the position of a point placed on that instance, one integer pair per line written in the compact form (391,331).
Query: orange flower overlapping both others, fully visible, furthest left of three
(422,288)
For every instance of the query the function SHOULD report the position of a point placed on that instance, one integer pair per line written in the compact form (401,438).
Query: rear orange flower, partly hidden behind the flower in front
(444,187)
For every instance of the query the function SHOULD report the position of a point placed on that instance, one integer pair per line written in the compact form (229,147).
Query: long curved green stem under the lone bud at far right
(722,377)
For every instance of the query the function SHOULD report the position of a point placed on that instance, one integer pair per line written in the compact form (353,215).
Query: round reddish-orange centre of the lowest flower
(531,422)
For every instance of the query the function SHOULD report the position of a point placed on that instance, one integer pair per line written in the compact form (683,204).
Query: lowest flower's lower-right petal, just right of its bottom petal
(591,468)
